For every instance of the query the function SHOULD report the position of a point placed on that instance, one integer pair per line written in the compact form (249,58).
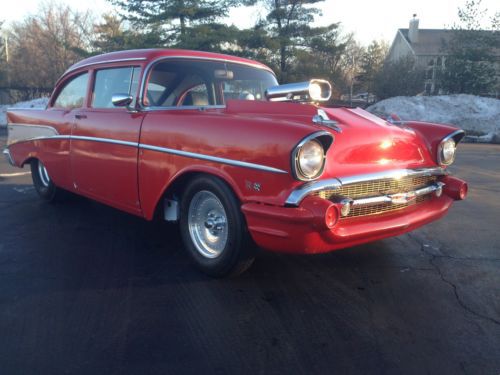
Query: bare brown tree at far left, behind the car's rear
(44,45)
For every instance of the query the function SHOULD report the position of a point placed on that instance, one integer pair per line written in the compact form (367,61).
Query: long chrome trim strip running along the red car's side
(165,150)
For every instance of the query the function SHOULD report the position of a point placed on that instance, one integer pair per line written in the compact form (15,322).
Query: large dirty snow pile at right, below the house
(478,115)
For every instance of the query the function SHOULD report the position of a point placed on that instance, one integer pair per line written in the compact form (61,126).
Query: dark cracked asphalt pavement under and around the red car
(86,289)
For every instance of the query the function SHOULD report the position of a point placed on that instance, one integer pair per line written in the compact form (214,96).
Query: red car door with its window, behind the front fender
(104,141)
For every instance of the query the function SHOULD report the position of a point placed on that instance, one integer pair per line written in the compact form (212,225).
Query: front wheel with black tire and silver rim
(213,228)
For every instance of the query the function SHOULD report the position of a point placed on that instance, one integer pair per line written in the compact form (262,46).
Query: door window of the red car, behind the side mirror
(109,82)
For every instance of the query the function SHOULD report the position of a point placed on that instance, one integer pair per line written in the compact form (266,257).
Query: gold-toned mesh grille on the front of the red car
(376,188)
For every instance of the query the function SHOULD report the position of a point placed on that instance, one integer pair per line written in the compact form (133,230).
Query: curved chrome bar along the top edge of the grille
(297,195)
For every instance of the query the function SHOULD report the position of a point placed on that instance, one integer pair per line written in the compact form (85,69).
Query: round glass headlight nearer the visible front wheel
(309,160)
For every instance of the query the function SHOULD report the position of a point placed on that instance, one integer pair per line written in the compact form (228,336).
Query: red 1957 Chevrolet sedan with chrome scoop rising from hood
(213,142)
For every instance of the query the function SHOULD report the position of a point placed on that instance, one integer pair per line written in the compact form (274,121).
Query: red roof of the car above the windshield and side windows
(149,55)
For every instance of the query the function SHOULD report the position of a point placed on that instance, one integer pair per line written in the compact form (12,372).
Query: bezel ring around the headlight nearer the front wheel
(319,140)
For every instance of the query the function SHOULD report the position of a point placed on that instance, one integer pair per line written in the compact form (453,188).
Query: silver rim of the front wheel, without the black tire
(207,223)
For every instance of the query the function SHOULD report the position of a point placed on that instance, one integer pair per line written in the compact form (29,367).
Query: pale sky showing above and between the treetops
(369,19)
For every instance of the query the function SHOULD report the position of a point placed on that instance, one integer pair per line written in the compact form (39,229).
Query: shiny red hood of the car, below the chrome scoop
(366,143)
